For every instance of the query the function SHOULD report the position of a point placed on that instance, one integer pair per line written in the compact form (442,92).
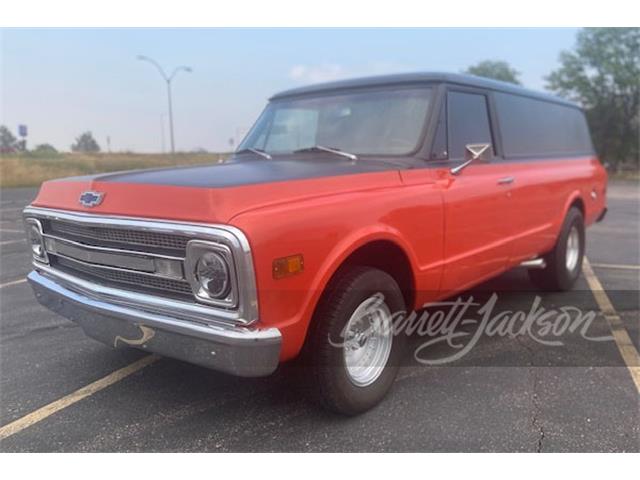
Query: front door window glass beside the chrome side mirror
(468,122)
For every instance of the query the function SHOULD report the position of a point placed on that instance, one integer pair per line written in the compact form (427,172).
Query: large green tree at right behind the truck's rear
(602,74)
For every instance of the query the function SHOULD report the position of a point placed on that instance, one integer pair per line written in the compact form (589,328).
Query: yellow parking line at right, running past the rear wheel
(621,336)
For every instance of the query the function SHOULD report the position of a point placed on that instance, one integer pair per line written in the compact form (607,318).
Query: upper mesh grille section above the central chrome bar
(122,236)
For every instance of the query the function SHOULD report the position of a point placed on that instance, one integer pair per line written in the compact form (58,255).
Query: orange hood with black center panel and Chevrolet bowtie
(214,194)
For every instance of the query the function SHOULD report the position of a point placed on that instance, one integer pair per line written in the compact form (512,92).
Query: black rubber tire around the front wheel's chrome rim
(330,381)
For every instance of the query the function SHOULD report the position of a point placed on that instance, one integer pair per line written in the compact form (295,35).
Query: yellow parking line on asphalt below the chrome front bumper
(44,412)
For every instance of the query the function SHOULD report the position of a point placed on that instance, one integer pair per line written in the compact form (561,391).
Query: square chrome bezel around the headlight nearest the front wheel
(196,249)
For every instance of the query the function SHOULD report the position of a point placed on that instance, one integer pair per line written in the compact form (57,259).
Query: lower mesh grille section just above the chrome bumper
(138,281)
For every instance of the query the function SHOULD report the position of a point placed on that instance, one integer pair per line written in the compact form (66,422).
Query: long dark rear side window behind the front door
(532,127)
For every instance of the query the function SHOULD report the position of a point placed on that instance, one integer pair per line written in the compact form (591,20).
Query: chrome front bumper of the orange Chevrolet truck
(240,351)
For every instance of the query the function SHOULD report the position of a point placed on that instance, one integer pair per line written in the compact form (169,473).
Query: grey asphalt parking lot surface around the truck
(588,404)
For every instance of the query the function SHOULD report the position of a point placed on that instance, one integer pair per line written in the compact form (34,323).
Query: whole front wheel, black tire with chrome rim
(353,351)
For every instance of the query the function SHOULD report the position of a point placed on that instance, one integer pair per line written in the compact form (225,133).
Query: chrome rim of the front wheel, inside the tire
(368,340)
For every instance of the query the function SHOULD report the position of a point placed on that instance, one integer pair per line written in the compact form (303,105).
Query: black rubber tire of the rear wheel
(556,276)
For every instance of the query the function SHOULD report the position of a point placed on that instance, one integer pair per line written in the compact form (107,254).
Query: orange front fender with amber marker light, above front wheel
(326,231)
